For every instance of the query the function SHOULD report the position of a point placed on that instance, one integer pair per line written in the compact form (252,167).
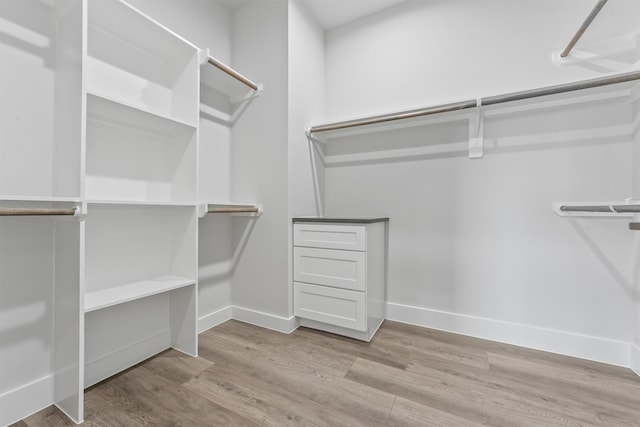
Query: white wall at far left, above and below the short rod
(27,91)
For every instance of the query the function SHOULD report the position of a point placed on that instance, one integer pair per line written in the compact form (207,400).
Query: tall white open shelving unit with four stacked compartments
(140,183)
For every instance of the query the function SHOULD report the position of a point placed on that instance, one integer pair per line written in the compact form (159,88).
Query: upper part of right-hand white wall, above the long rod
(431,52)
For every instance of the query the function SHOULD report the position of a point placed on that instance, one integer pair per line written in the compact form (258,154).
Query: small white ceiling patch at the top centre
(333,13)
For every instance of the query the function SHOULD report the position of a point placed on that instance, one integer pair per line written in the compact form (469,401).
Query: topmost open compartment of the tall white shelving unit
(135,59)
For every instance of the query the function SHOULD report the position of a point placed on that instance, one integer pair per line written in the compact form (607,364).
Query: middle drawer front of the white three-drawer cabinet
(330,267)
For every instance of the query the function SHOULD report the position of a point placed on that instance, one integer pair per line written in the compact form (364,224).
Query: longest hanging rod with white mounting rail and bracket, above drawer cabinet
(614,87)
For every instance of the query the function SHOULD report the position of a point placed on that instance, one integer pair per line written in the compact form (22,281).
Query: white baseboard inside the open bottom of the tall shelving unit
(119,360)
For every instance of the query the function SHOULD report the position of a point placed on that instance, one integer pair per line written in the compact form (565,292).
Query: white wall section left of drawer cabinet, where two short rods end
(260,165)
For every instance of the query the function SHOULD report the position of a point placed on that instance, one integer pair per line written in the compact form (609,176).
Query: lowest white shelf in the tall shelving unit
(109,297)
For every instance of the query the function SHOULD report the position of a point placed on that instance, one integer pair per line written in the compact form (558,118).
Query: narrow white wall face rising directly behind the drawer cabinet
(306,102)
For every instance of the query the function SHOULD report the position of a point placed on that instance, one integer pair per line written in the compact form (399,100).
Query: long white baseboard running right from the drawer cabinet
(582,346)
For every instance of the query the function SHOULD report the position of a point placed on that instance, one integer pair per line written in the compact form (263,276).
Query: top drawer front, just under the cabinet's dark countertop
(330,236)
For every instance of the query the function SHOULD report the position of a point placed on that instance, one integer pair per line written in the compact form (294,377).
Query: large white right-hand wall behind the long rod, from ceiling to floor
(474,245)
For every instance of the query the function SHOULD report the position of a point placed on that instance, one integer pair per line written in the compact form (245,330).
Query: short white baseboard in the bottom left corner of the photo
(25,400)
